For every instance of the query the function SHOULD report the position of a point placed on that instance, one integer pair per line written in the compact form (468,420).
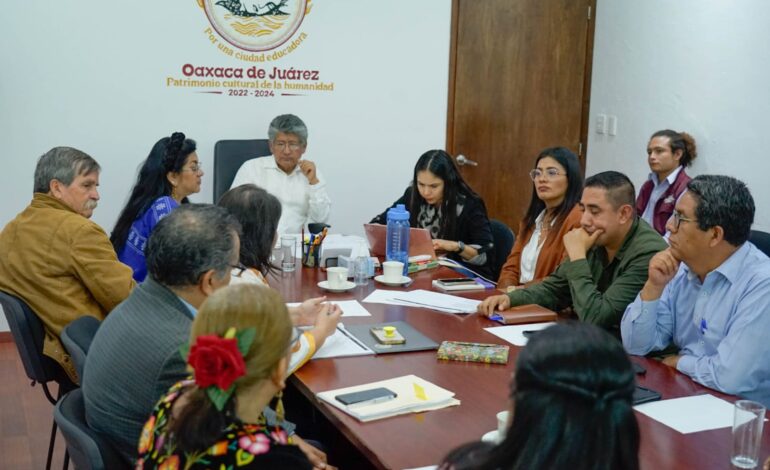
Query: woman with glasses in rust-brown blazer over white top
(553,211)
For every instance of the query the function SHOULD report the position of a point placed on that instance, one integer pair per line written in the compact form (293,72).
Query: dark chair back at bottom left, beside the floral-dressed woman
(87,449)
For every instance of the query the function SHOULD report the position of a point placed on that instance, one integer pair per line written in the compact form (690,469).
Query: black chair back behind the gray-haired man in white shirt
(229,155)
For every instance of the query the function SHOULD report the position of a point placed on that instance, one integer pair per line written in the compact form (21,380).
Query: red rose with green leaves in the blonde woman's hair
(218,361)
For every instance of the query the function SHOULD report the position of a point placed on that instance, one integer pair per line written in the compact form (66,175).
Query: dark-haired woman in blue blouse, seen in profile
(170,174)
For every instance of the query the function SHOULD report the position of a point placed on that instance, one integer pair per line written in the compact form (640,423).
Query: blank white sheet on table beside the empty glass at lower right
(690,414)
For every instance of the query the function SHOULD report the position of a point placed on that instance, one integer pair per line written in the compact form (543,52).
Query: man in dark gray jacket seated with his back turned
(134,357)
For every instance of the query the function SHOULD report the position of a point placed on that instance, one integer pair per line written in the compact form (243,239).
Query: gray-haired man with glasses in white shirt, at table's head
(298,184)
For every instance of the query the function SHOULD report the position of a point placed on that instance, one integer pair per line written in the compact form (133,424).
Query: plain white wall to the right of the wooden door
(693,65)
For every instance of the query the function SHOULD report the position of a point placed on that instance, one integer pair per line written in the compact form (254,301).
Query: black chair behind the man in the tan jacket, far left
(29,335)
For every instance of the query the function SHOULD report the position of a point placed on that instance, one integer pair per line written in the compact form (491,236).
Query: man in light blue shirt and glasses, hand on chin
(709,293)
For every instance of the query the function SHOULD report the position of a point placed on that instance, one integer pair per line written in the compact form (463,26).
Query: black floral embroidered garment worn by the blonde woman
(240,446)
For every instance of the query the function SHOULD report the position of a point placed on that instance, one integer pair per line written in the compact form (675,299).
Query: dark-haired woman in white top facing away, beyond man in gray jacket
(259,212)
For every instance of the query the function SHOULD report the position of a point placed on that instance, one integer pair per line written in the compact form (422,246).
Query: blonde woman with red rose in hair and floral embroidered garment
(239,348)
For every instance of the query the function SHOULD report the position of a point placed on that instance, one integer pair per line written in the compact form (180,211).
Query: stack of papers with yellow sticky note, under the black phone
(413,395)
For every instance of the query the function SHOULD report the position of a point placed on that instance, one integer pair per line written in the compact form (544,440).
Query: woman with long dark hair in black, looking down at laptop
(441,201)
